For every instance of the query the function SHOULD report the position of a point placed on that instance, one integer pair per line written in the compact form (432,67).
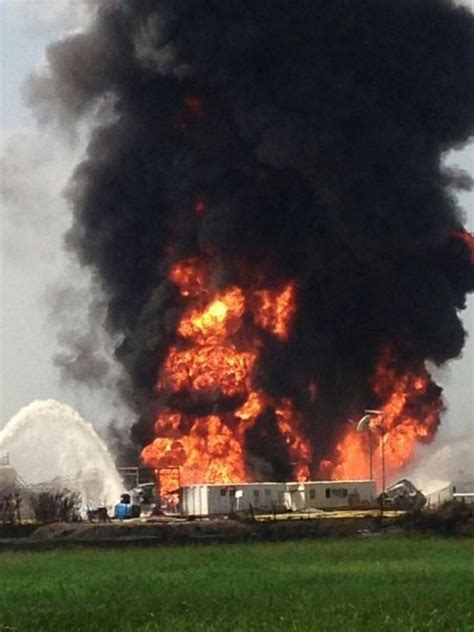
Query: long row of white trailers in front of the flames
(216,499)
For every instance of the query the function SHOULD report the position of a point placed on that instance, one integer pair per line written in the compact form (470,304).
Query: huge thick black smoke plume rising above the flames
(315,132)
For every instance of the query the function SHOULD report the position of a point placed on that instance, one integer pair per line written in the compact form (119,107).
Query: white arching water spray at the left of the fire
(49,441)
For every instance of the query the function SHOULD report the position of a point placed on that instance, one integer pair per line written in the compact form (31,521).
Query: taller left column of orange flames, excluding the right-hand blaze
(212,365)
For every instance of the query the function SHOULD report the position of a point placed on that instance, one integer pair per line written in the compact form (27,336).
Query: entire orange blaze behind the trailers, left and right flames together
(211,367)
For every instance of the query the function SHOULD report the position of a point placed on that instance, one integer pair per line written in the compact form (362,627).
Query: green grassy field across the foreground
(347,585)
